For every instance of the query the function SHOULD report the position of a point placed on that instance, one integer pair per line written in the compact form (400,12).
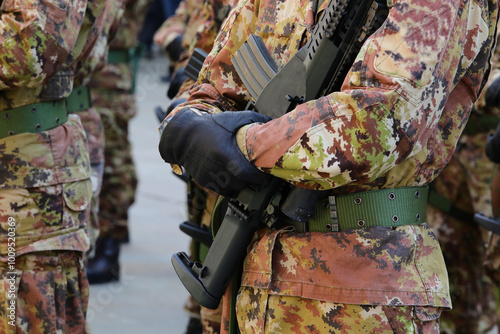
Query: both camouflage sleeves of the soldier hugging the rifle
(401,109)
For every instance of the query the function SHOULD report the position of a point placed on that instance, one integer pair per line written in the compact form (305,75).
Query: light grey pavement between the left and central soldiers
(149,297)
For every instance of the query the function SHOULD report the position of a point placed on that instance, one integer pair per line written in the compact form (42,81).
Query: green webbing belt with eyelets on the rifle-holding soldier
(384,207)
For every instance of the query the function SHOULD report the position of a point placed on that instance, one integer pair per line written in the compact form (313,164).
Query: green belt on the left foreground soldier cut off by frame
(34,118)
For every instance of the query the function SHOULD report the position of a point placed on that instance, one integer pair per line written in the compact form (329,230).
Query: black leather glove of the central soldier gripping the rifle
(205,145)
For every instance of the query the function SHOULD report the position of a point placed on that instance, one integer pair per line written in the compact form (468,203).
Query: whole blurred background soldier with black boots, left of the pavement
(112,94)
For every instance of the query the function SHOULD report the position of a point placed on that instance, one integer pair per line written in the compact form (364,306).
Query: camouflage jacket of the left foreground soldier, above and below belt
(42,44)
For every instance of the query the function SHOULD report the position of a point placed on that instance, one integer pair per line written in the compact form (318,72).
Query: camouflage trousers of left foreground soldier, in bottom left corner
(49,293)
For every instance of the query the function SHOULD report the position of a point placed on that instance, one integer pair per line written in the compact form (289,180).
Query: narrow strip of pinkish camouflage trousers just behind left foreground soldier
(92,124)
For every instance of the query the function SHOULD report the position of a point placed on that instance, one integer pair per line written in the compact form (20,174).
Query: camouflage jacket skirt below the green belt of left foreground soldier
(46,189)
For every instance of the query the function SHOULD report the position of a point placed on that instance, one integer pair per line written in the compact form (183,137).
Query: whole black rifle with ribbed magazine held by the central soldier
(315,70)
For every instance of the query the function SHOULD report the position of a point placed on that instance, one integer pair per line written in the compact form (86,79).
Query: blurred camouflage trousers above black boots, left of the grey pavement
(116,108)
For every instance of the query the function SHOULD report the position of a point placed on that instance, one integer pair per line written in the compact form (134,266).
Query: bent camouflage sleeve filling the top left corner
(36,37)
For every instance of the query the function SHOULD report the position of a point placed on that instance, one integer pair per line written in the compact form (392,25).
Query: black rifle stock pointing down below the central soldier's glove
(207,282)
